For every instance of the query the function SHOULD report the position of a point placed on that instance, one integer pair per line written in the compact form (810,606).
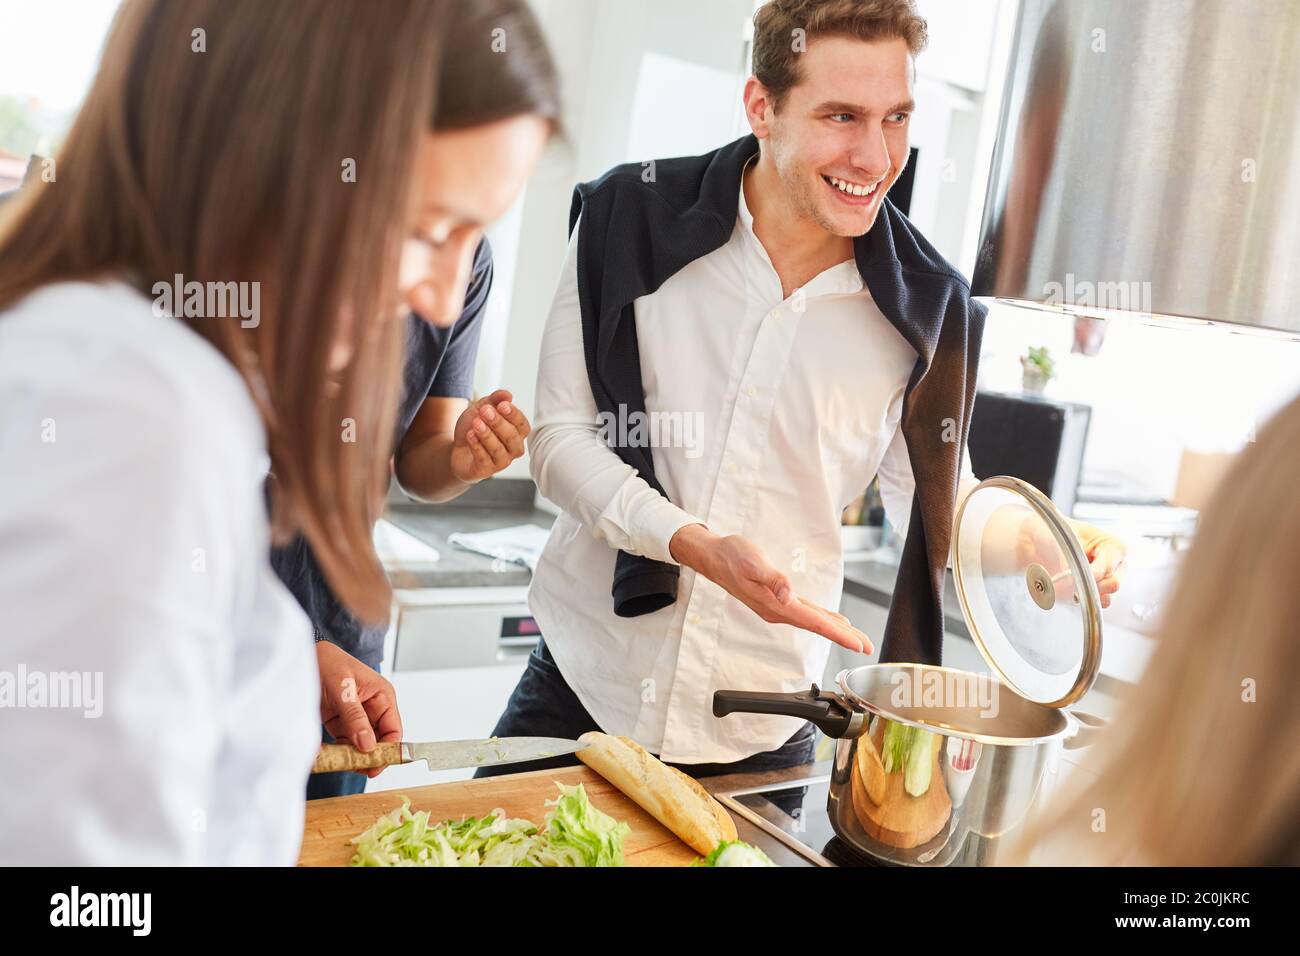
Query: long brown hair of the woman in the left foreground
(216,144)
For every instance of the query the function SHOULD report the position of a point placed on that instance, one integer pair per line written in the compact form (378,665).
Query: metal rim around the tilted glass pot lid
(1055,521)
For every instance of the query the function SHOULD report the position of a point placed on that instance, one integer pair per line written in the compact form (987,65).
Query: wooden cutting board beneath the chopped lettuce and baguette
(333,823)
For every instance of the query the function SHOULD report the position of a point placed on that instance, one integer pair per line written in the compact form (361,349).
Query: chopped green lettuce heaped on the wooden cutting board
(577,836)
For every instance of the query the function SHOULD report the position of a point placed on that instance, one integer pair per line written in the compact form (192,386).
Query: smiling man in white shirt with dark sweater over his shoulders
(773,288)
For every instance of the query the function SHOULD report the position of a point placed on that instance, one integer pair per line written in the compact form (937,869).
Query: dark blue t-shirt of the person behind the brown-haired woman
(440,364)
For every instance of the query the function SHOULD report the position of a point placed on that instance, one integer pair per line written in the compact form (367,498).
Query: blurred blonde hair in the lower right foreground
(1201,768)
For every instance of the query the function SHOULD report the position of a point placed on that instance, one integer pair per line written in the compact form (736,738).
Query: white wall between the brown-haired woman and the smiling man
(635,75)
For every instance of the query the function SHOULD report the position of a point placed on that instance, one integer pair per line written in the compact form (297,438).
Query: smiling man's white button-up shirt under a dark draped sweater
(768,417)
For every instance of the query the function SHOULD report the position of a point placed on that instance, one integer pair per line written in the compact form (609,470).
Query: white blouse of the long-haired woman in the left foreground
(159,699)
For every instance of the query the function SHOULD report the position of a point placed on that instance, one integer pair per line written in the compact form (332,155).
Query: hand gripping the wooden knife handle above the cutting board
(357,704)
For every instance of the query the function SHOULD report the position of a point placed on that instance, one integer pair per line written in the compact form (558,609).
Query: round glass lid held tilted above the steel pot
(1028,592)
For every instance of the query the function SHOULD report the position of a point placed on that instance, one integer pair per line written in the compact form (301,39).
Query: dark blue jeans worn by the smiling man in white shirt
(543,706)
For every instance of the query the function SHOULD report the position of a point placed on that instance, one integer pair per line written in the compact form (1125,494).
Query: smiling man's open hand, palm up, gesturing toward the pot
(739,568)
